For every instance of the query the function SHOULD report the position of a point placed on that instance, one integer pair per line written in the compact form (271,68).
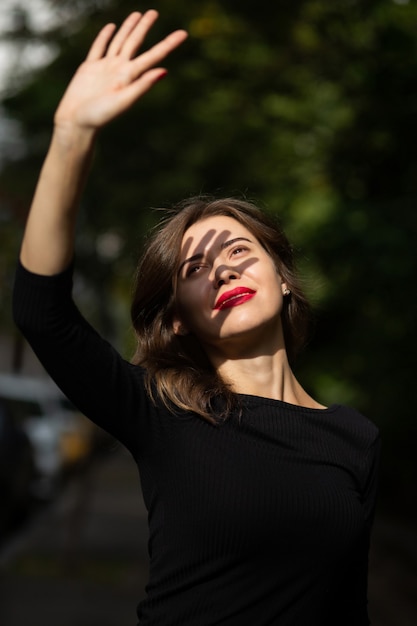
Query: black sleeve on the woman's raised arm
(90,372)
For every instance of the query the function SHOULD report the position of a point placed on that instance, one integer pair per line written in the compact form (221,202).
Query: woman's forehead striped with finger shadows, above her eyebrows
(212,232)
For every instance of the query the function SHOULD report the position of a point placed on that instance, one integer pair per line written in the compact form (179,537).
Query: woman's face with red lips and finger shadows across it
(229,291)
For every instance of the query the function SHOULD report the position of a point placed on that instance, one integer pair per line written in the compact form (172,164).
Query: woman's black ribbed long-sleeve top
(263,520)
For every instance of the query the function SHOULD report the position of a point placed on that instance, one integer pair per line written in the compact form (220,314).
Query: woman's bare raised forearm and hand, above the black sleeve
(110,81)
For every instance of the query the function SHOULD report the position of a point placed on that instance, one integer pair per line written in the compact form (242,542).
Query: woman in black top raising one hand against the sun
(260,499)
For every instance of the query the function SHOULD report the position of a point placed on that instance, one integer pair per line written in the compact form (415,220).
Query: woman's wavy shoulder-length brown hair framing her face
(178,371)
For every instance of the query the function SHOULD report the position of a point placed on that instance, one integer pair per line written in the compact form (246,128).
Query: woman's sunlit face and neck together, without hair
(230,297)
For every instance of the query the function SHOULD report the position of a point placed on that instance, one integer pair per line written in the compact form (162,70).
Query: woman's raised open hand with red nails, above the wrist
(112,77)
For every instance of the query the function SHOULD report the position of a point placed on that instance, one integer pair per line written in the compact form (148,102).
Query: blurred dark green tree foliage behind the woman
(307,107)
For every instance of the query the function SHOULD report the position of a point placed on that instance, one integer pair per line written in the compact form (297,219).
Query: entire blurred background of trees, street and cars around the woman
(307,107)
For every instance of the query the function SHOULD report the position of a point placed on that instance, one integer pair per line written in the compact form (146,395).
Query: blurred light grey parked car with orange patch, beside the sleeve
(60,436)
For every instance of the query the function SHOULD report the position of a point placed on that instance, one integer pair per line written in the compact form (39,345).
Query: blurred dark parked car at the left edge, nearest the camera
(17,471)
